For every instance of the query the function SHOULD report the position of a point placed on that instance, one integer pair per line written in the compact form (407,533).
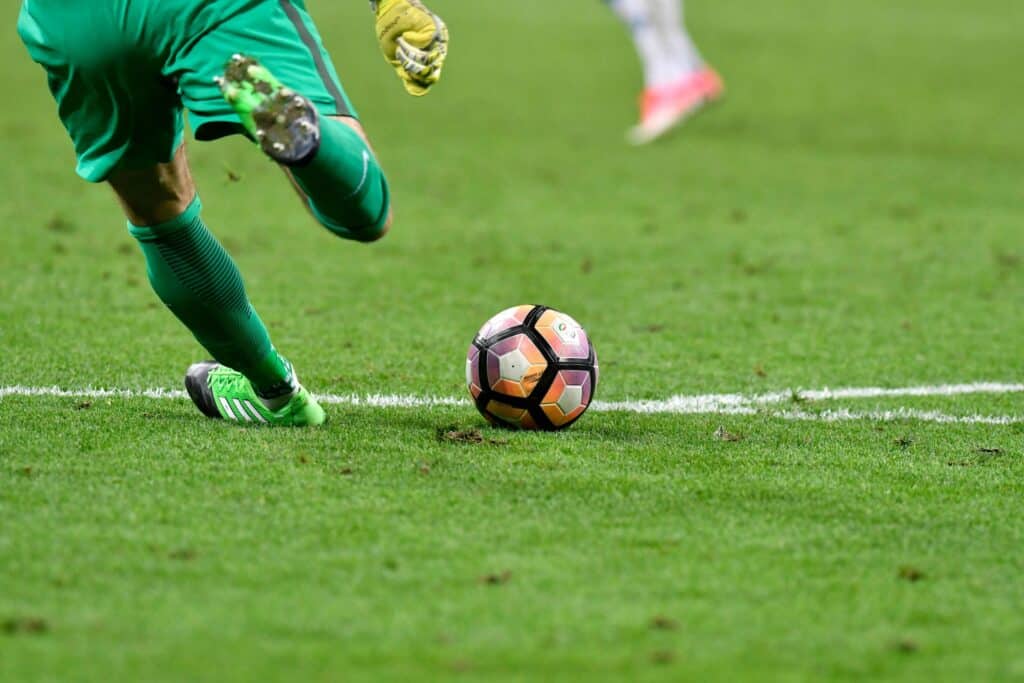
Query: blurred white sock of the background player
(659,56)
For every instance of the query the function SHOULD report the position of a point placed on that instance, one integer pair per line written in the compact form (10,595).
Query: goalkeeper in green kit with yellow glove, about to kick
(124,71)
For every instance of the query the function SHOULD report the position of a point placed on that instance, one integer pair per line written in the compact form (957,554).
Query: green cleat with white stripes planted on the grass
(225,394)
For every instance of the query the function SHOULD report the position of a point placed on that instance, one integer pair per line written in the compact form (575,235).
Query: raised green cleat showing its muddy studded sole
(285,123)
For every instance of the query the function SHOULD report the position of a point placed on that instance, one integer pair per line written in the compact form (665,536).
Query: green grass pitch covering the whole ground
(850,217)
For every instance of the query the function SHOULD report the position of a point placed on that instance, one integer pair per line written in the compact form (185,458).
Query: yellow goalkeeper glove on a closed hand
(414,41)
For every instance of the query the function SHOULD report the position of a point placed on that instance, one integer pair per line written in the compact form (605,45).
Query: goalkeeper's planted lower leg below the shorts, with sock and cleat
(197,280)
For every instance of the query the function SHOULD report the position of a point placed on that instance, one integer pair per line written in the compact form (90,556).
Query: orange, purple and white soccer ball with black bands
(532,368)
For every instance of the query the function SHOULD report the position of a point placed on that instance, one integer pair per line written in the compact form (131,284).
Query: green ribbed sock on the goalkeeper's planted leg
(196,279)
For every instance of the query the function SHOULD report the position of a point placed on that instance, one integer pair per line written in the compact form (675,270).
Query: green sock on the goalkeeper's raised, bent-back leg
(346,185)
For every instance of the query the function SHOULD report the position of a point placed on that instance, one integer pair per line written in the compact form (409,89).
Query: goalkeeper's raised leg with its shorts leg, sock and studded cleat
(310,126)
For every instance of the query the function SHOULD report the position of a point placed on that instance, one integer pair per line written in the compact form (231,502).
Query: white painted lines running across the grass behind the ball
(730,404)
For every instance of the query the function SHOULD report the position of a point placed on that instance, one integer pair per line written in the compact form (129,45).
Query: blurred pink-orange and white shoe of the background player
(665,108)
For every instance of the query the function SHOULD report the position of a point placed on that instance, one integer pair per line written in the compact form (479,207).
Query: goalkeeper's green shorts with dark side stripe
(123,72)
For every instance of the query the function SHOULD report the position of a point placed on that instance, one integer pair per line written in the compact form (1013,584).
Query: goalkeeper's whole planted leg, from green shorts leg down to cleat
(126,122)
